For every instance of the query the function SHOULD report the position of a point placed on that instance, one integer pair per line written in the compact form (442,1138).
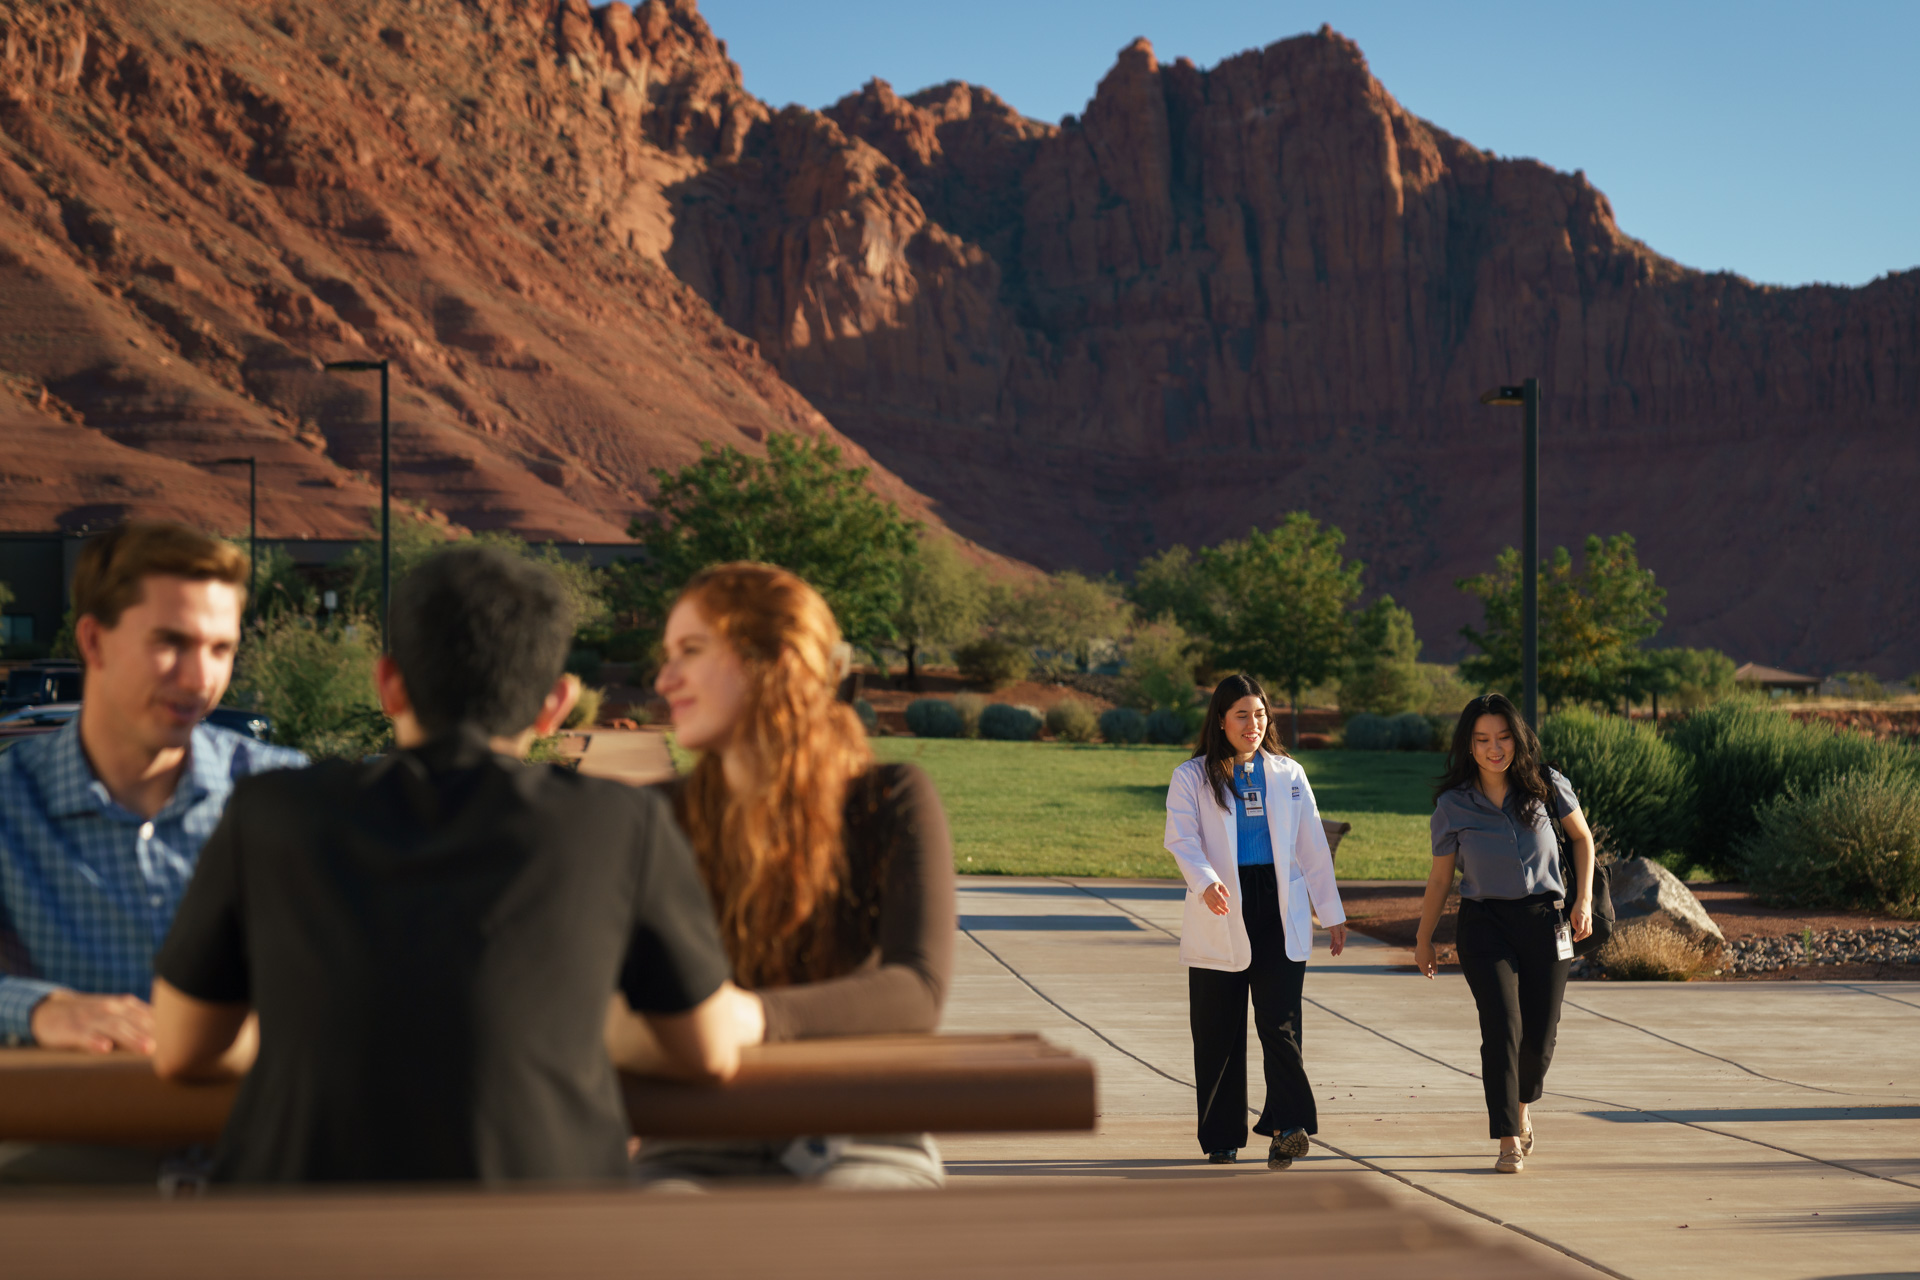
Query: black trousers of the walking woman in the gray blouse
(1506,951)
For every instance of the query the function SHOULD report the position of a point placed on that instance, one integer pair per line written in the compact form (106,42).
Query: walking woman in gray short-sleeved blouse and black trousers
(1495,818)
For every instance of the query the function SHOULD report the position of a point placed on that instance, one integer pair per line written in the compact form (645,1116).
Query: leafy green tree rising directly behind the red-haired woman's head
(800,508)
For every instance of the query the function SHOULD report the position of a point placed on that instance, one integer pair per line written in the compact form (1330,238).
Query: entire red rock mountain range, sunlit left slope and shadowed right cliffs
(1214,298)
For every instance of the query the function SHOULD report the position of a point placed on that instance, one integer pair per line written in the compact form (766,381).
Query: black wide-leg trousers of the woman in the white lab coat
(1218,1016)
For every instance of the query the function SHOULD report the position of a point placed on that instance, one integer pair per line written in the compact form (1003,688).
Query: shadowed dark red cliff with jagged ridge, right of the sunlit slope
(1228,295)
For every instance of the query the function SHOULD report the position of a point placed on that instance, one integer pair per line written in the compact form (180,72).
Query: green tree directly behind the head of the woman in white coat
(1284,604)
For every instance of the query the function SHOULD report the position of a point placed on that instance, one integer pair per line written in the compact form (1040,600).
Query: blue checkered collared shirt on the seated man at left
(87,888)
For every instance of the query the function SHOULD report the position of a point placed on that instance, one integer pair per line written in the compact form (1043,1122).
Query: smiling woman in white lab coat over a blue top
(1247,836)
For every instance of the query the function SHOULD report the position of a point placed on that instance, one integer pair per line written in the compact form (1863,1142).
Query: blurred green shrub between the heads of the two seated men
(316,684)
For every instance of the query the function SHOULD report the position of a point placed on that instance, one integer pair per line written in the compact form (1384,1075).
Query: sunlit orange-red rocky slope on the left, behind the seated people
(201,202)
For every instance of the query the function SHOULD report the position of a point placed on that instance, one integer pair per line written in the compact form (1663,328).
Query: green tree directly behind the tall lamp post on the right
(1591,623)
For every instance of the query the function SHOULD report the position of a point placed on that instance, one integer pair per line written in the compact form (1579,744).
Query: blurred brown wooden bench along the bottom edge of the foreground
(1203,1221)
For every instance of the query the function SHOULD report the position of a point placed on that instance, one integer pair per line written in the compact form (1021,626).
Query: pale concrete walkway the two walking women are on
(1706,1129)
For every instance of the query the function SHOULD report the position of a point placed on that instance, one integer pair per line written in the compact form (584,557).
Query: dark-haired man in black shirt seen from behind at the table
(433,941)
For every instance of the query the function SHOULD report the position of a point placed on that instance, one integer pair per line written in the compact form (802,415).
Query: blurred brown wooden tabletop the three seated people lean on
(857,1085)
